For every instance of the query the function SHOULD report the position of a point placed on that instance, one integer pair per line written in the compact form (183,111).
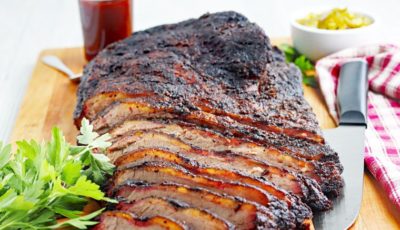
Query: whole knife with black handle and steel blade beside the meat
(348,141)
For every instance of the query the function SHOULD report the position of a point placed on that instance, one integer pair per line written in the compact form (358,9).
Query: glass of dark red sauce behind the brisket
(104,22)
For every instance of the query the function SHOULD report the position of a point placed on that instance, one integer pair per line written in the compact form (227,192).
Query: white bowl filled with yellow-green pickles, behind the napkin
(317,33)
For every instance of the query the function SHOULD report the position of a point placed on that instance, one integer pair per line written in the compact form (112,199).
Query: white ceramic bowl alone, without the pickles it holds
(317,43)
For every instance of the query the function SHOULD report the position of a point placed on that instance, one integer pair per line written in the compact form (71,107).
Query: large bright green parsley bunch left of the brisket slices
(43,182)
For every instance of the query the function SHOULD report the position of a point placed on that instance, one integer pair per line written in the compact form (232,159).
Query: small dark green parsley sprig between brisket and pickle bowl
(305,65)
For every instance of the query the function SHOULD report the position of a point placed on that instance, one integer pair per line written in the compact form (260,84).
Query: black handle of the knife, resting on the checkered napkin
(352,93)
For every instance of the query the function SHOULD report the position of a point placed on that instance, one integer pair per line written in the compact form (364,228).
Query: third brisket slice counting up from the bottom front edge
(242,214)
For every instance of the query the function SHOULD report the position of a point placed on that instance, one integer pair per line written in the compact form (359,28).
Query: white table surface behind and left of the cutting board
(29,26)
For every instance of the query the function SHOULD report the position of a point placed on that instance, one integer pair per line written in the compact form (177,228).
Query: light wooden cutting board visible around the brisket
(50,100)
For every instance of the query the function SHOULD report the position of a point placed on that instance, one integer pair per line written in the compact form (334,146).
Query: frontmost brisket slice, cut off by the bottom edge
(117,220)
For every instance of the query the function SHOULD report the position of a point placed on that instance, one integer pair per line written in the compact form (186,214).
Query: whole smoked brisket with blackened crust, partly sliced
(208,120)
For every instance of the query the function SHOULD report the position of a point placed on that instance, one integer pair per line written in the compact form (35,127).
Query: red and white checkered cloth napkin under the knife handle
(382,151)
